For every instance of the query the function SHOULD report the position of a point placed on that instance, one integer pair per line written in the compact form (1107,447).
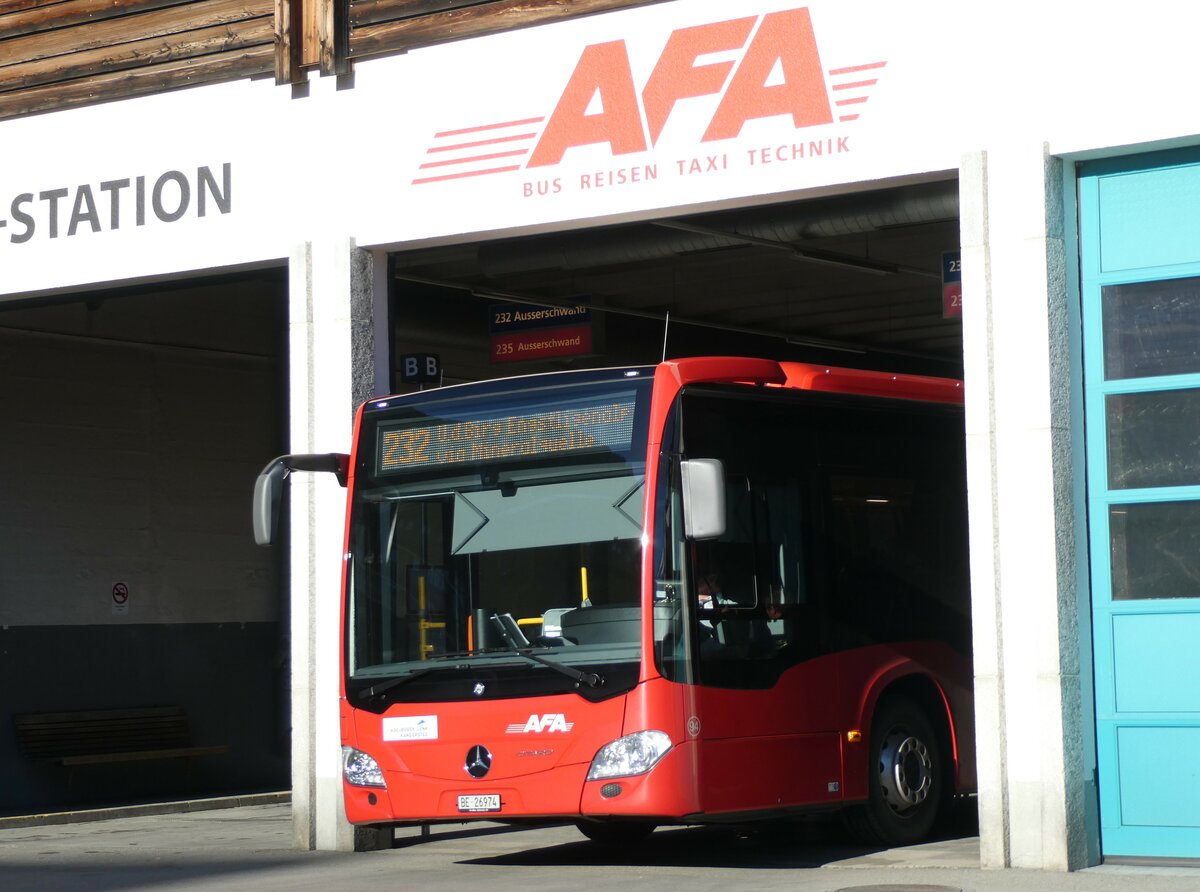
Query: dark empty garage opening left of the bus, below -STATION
(143,637)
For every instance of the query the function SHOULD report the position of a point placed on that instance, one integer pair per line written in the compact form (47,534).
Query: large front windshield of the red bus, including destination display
(496,541)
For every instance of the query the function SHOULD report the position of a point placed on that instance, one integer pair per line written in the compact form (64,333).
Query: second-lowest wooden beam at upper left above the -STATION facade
(137,55)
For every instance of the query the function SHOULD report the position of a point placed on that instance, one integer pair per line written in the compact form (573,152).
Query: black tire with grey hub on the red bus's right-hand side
(908,779)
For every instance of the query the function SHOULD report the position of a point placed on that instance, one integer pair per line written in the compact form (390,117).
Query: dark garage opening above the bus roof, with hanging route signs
(867,280)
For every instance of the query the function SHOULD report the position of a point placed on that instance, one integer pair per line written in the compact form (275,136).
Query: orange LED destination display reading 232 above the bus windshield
(599,424)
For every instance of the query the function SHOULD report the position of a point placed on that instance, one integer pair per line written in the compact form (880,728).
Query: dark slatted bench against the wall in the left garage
(106,737)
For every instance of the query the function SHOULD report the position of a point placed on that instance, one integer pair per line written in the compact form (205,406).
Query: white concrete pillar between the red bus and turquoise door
(1024,429)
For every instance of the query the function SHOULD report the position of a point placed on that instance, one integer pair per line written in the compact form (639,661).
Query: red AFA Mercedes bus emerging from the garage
(712,590)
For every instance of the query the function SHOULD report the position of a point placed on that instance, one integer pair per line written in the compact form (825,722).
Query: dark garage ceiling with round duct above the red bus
(856,278)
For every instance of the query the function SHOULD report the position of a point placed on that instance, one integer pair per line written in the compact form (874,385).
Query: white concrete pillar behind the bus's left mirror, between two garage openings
(338,308)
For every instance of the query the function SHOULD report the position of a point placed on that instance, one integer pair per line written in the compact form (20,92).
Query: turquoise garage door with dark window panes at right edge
(1141,255)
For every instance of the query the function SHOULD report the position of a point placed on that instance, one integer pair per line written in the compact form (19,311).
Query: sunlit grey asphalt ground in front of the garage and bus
(248,845)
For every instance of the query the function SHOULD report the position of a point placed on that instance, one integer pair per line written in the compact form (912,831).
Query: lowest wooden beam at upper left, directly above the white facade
(140,82)
